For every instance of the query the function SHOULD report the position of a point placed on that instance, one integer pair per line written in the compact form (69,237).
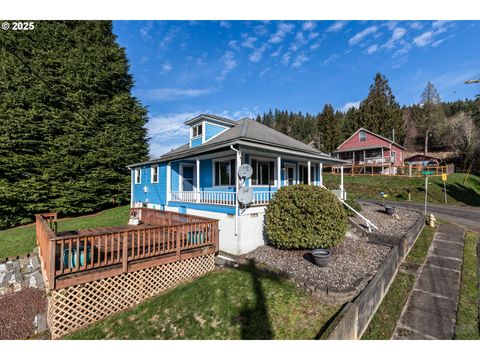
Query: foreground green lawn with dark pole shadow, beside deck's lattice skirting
(225,304)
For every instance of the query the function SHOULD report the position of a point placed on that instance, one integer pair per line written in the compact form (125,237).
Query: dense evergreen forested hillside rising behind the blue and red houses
(430,125)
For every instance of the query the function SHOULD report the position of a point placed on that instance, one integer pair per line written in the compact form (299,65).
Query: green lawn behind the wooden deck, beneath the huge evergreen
(21,240)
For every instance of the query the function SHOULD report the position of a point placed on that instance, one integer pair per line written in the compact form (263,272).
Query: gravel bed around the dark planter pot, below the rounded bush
(353,261)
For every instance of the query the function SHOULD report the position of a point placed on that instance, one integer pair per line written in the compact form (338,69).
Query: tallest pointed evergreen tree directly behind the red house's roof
(380,112)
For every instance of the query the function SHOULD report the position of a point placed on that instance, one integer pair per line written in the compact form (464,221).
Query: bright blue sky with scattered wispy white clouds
(244,68)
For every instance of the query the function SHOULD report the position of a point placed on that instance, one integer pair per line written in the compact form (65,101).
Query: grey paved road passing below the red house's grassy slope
(465,216)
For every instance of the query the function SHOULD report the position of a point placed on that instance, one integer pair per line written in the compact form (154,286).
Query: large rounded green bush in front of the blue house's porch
(305,217)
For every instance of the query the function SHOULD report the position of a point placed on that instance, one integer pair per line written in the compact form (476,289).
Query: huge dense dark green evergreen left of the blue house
(68,122)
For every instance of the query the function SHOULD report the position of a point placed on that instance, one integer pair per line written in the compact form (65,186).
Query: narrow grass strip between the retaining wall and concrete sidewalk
(383,323)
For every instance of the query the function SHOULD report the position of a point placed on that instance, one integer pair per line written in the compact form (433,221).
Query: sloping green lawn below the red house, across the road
(368,187)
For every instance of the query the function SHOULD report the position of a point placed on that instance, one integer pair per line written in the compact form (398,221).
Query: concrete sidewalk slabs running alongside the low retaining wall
(431,310)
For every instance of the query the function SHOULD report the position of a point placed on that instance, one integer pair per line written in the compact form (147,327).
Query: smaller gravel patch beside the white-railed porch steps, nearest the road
(396,225)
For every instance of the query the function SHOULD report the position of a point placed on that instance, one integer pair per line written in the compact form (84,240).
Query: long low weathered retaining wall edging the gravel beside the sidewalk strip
(356,315)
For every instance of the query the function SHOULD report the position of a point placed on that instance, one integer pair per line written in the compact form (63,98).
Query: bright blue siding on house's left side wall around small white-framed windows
(156,192)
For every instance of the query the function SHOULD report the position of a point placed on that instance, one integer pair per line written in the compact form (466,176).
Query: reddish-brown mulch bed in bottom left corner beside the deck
(18,311)
